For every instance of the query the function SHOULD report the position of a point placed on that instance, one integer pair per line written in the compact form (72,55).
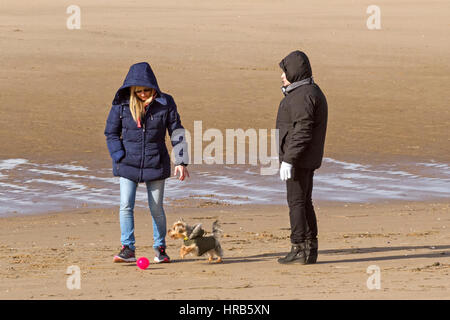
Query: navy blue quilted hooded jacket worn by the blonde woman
(140,154)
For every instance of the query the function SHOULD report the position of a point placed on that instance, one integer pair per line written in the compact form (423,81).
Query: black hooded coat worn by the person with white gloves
(302,116)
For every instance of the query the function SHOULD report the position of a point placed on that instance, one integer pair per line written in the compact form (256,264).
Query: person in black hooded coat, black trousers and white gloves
(302,123)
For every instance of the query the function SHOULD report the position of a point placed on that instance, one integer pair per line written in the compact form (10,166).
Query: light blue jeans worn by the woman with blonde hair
(155,191)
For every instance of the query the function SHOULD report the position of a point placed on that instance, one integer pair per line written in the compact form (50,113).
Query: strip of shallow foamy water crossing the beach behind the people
(27,187)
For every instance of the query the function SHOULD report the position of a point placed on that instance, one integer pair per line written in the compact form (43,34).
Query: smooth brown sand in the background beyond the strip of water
(385,88)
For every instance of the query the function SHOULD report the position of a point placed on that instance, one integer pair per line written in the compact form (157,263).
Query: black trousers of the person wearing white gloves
(301,210)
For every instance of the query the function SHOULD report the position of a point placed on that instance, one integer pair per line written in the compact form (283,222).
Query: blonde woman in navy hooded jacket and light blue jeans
(135,135)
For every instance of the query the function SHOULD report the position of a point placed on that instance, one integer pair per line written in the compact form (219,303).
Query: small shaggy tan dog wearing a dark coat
(195,240)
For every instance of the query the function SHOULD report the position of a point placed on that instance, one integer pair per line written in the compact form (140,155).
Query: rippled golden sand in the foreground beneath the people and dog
(409,242)
